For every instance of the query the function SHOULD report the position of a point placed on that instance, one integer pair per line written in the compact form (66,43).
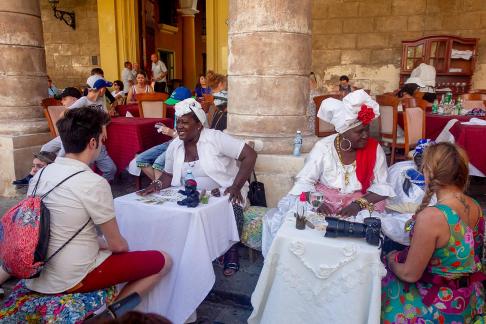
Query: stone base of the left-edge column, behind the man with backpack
(16,158)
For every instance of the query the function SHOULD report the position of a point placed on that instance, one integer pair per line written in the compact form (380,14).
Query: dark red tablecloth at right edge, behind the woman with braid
(471,138)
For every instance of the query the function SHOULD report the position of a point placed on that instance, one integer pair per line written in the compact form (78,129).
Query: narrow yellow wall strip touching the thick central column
(217,35)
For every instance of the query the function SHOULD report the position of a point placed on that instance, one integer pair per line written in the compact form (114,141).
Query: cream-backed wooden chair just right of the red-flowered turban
(388,123)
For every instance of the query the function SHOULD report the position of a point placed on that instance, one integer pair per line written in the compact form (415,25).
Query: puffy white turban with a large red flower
(344,114)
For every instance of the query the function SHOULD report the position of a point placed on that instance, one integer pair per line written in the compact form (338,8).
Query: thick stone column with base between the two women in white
(268,86)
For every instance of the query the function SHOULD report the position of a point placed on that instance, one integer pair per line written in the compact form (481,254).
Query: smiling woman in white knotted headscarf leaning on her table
(215,159)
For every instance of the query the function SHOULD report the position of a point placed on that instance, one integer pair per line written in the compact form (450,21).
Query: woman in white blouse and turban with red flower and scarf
(349,168)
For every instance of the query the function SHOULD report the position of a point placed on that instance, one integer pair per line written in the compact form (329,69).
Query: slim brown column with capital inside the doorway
(188,47)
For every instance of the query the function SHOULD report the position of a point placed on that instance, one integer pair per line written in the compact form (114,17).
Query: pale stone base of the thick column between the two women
(277,172)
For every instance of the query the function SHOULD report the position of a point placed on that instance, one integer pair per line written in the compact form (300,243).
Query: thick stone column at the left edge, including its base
(23,129)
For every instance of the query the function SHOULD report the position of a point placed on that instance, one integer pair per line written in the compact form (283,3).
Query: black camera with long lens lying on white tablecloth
(370,229)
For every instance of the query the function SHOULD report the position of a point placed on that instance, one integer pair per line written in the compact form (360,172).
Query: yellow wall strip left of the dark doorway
(118,32)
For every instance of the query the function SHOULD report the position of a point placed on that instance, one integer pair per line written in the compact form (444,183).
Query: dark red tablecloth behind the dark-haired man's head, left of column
(129,136)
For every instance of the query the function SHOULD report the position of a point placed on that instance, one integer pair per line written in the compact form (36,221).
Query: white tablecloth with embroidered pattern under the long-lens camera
(308,278)
